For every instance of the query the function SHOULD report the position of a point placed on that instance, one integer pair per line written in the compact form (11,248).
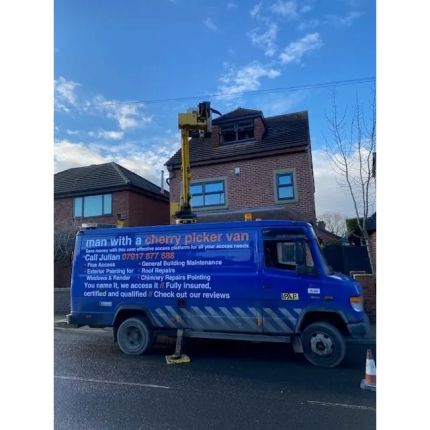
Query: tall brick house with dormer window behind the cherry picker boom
(250,163)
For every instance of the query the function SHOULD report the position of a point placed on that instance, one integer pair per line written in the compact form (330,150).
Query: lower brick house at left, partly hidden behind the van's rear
(103,194)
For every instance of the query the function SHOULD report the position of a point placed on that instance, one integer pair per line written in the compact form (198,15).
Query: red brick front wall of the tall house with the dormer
(255,186)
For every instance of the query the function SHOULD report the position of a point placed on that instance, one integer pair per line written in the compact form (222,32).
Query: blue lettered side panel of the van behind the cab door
(204,279)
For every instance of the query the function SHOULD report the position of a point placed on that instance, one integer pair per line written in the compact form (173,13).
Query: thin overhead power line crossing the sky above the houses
(345,82)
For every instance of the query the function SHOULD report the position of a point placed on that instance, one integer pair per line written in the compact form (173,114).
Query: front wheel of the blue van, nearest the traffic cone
(323,344)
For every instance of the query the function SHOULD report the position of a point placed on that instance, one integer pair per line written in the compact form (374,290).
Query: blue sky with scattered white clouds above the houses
(124,70)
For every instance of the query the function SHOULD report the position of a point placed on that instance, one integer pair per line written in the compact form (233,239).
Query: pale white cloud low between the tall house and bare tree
(331,193)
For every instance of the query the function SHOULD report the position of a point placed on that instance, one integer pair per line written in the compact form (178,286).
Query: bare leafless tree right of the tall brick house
(350,149)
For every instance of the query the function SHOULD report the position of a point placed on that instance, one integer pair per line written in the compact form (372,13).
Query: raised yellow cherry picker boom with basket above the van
(195,123)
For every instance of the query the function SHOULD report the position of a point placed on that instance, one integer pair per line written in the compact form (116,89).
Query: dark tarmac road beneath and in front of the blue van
(227,385)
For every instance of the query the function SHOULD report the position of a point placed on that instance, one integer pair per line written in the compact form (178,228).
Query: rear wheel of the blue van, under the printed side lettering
(134,336)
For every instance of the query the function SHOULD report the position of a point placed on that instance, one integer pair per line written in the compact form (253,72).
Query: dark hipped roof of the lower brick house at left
(102,178)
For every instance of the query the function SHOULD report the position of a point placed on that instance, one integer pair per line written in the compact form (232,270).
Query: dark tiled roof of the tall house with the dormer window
(283,133)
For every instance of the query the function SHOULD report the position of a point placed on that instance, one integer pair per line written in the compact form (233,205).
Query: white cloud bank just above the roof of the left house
(146,163)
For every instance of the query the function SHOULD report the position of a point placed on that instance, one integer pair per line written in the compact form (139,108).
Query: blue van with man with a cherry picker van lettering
(254,280)
